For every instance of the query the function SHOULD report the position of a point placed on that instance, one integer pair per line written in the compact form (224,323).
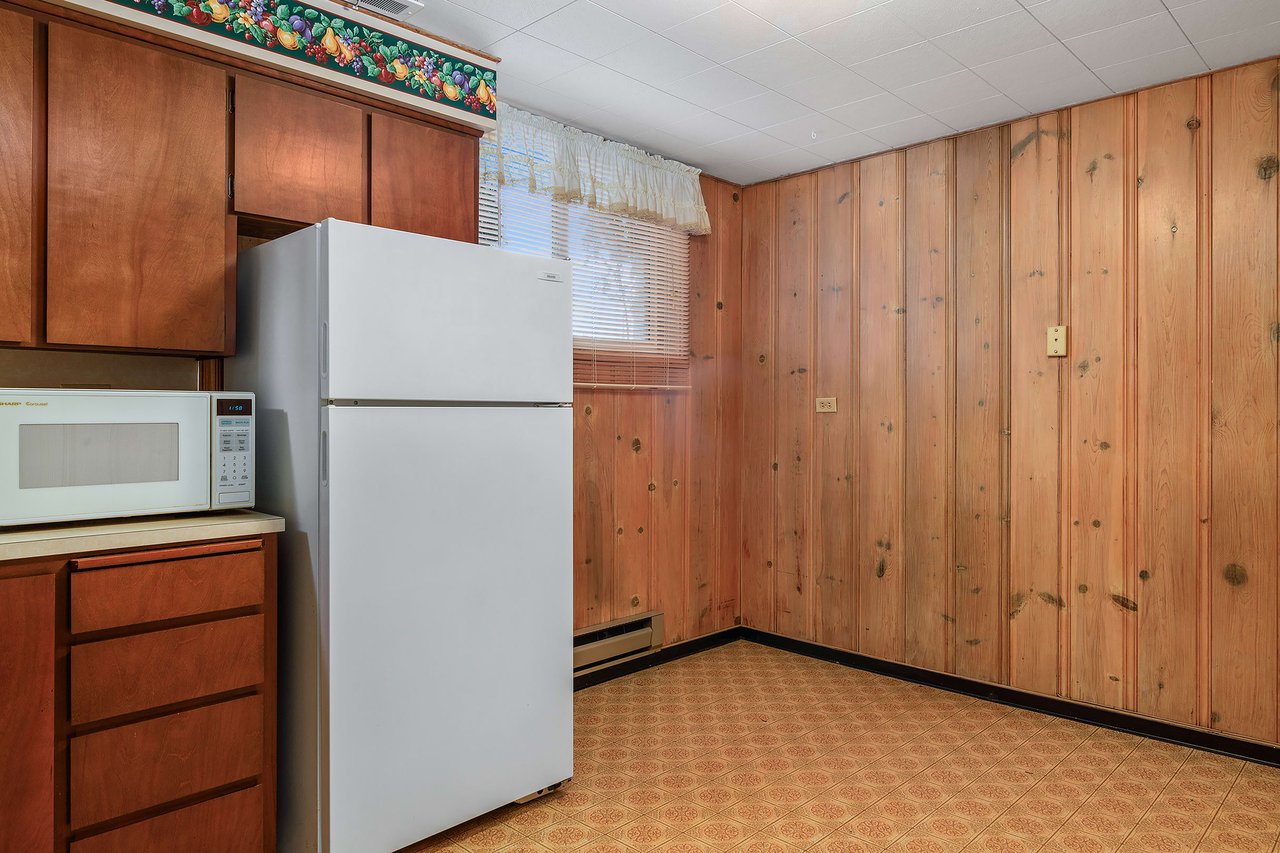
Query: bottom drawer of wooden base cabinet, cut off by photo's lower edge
(231,824)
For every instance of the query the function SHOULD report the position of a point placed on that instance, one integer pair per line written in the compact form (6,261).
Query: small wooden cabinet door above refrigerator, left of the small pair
(299,157)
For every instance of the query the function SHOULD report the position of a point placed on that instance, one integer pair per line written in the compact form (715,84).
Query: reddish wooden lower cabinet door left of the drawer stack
(28,614)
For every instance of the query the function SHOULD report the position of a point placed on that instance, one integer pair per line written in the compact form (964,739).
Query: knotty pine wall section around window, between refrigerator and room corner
(656,505)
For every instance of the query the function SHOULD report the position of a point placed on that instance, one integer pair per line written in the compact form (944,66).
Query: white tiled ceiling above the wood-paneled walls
(752,90)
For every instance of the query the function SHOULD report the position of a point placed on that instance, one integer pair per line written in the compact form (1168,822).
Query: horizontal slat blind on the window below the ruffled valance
(630,276)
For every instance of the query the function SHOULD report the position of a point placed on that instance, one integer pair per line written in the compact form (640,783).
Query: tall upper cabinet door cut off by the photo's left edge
(17,107)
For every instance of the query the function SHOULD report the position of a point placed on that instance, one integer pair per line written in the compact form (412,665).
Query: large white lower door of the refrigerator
(450,617)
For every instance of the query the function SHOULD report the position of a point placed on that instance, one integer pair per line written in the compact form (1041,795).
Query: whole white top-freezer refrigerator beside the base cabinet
(415,431)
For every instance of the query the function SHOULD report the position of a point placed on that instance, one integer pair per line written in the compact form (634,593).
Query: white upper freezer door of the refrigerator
(422,318)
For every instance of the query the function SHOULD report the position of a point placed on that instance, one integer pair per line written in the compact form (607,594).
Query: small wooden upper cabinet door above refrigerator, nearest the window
(424,180)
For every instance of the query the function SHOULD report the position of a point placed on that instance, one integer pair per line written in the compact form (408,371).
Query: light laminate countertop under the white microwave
(84,537)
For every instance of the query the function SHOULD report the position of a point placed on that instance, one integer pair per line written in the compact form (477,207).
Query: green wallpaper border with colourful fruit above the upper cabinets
(317,38)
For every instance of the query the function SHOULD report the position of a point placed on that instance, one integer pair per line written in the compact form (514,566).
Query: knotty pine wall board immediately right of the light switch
(1100,600)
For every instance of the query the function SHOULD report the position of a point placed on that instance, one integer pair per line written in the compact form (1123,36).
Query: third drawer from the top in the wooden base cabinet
(148,764)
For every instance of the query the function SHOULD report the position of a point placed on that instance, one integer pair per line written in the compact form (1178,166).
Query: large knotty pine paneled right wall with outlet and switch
(1101,527)
